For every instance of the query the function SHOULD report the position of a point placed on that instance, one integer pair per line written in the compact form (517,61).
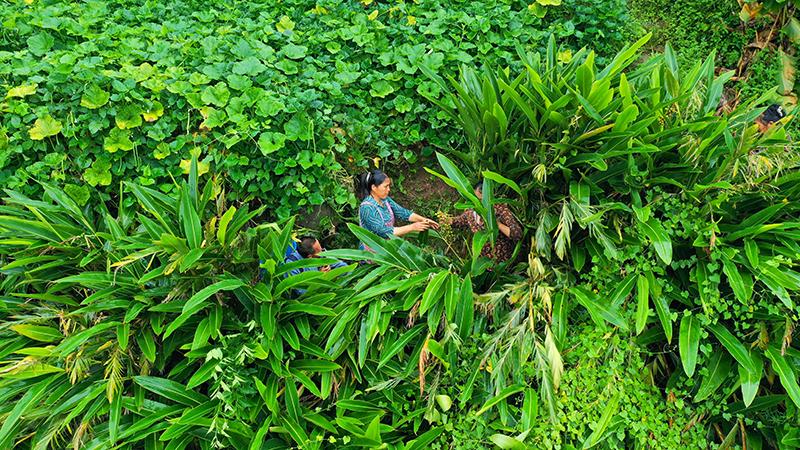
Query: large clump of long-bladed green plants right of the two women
(651,213)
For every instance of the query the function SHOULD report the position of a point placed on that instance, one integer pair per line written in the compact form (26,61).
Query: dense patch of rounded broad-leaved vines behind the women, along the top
(284,99)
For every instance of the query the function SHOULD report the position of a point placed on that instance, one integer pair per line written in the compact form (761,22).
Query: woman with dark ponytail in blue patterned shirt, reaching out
(378,212)
